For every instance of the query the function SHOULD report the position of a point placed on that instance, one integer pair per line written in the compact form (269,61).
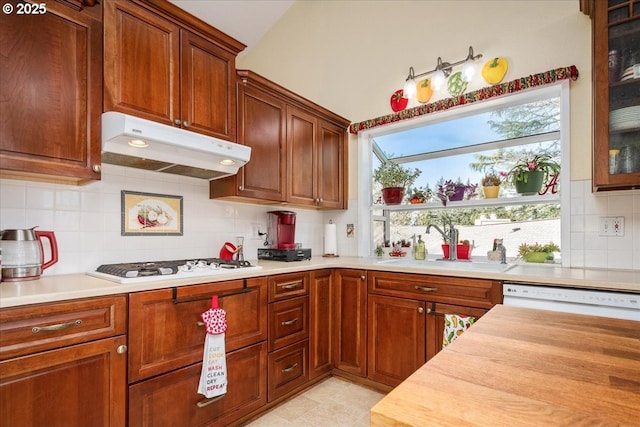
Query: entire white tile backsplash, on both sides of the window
(87,221)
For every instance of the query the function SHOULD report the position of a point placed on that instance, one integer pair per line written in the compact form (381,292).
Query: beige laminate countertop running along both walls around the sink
(73,286)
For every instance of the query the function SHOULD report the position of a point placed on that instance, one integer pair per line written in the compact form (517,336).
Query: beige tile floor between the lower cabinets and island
(334,402)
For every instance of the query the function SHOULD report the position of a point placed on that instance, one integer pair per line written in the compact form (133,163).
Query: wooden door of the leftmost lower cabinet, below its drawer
(76,386)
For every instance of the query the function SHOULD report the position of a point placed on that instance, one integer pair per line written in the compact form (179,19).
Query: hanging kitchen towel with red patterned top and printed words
(213,378)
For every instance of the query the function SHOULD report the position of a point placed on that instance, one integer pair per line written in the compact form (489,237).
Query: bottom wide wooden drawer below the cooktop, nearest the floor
(172,399)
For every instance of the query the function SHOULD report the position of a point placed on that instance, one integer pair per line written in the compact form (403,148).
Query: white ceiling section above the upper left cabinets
(244,20)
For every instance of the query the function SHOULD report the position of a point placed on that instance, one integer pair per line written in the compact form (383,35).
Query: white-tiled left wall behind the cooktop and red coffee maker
(87,219)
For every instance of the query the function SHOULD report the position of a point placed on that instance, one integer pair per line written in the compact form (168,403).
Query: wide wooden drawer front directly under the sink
(453,290)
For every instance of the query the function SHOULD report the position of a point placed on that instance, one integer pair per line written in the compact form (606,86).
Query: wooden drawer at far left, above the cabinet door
(40,327)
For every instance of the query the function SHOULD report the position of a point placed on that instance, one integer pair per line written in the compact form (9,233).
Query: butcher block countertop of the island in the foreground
(525,367)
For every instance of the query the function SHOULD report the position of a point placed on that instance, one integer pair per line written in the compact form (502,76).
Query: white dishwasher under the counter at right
(619,305)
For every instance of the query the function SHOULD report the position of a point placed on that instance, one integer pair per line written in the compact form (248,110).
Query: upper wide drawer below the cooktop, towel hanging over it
(167,333)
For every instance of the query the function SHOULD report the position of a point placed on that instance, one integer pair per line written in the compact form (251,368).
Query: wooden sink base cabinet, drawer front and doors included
(406,318)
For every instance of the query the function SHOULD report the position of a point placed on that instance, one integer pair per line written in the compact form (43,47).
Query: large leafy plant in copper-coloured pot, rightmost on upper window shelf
(528,175)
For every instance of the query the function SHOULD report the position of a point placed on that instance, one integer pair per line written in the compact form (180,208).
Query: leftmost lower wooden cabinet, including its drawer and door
(64,363)
